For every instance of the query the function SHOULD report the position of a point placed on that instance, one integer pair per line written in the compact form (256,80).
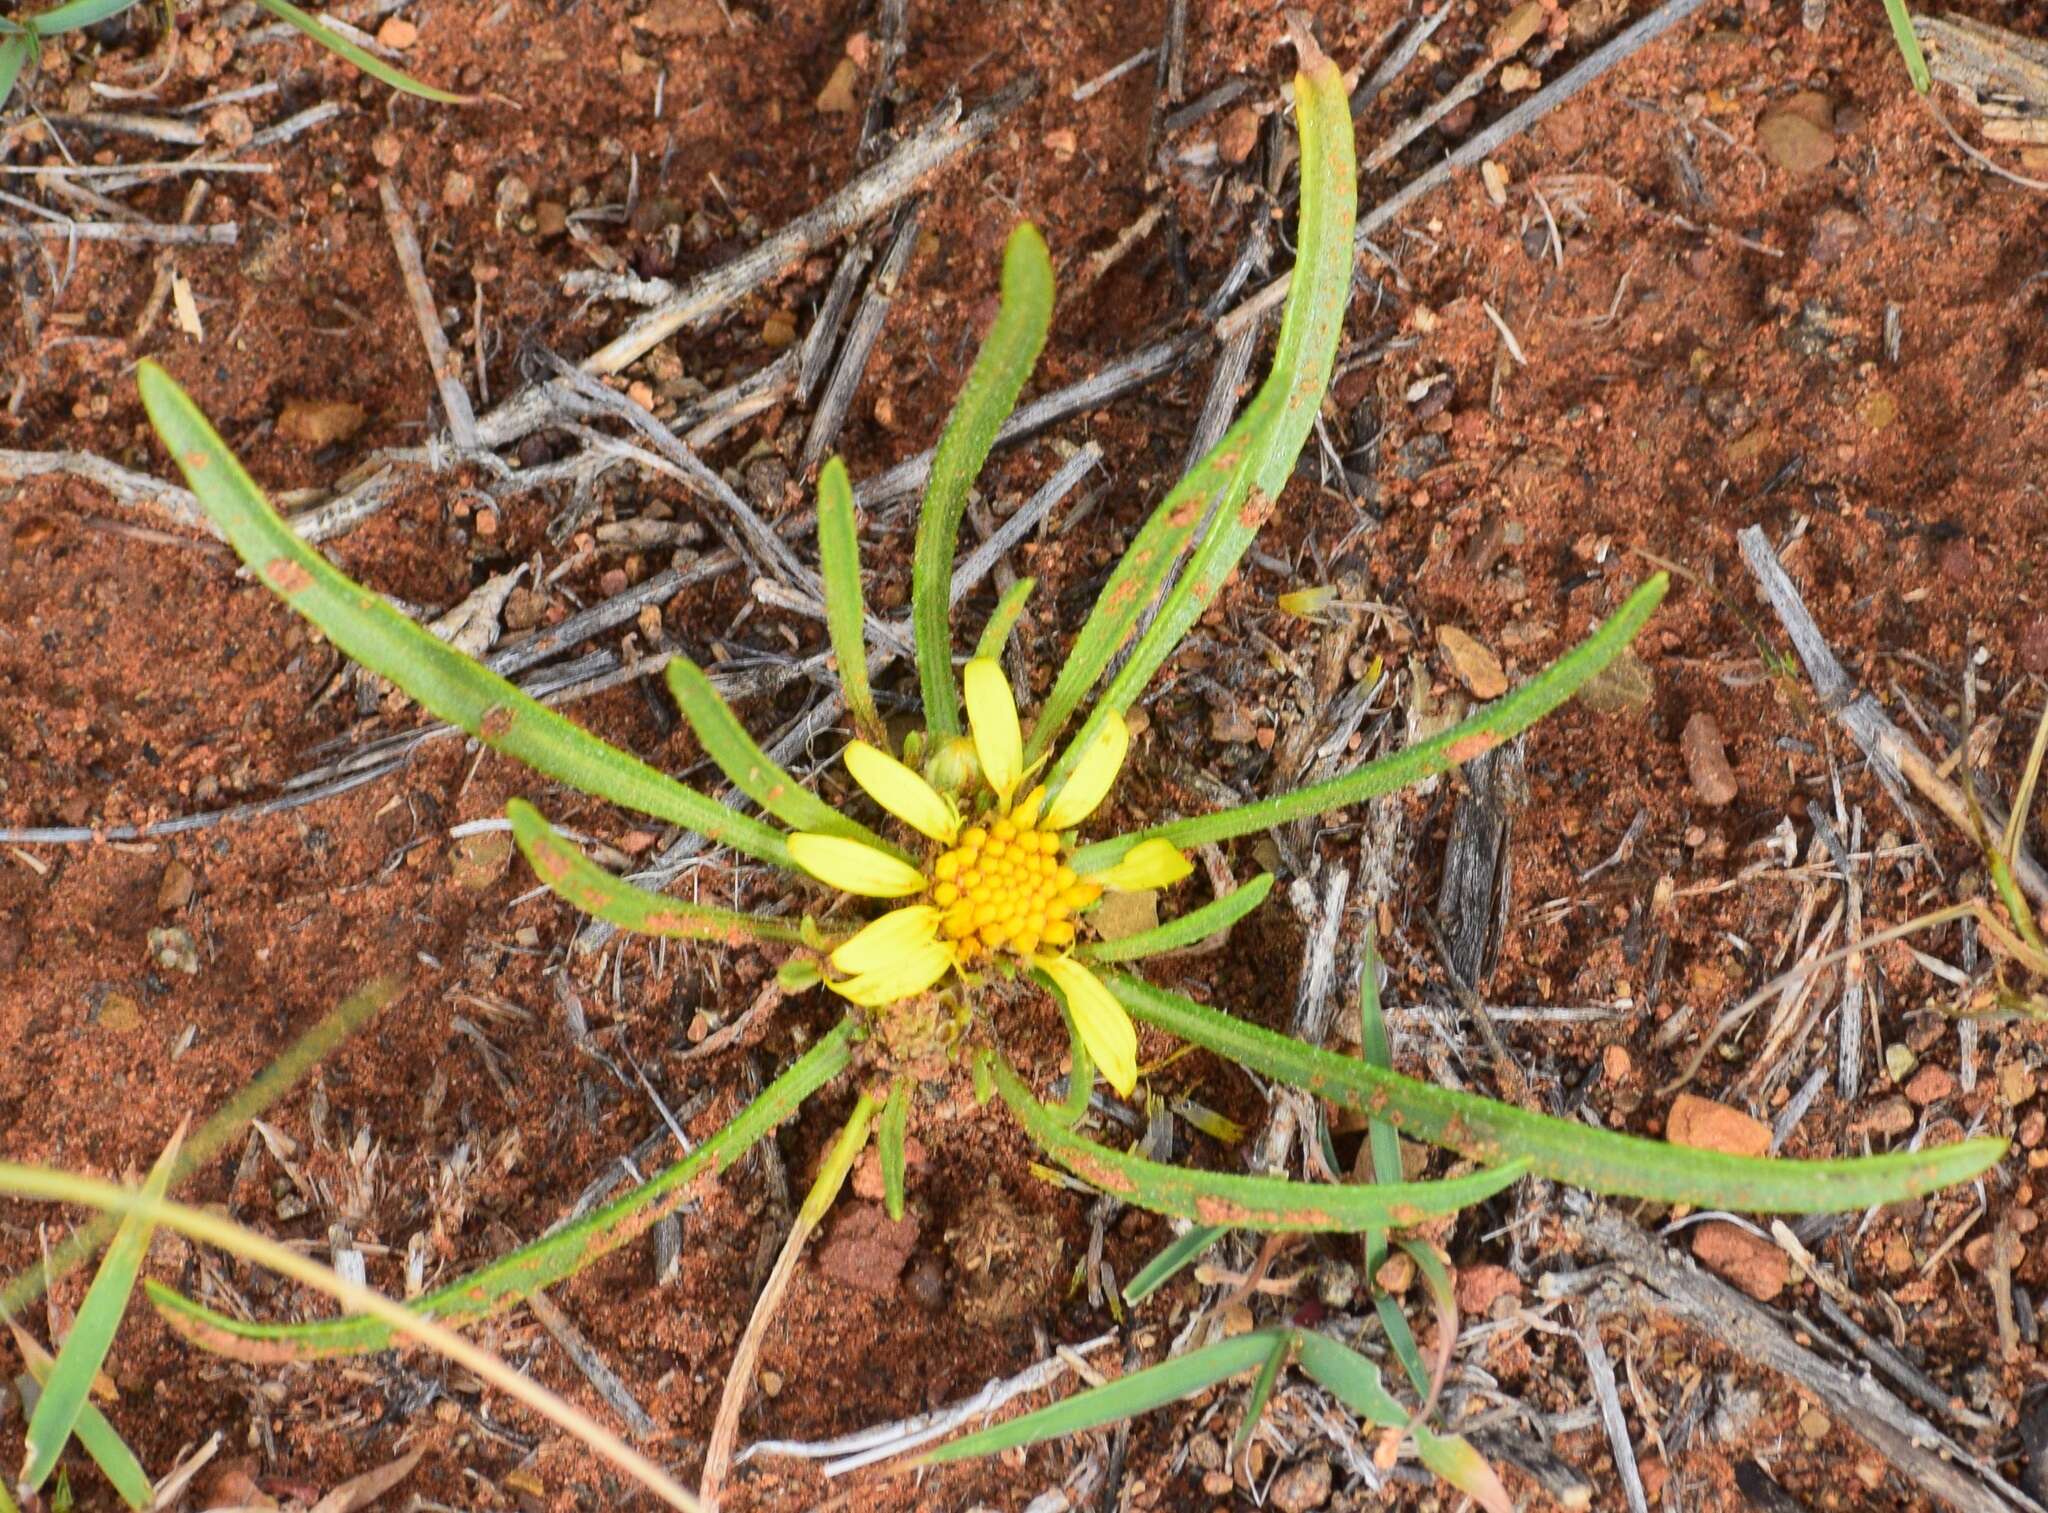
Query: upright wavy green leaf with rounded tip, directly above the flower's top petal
(986,402)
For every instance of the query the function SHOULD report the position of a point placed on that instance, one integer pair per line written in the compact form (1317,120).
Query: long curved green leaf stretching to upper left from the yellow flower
(439,677)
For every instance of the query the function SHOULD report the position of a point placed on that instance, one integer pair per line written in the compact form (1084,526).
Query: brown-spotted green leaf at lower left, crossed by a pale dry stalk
(534,1266)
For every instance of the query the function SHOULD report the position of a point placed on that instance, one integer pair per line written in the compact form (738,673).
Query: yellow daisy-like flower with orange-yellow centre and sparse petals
(996,888)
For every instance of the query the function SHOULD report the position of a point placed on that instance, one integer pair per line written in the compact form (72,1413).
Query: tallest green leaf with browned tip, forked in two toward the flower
(1240,482)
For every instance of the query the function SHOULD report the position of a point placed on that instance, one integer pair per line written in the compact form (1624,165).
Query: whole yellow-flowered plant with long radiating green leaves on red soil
(976,845)
